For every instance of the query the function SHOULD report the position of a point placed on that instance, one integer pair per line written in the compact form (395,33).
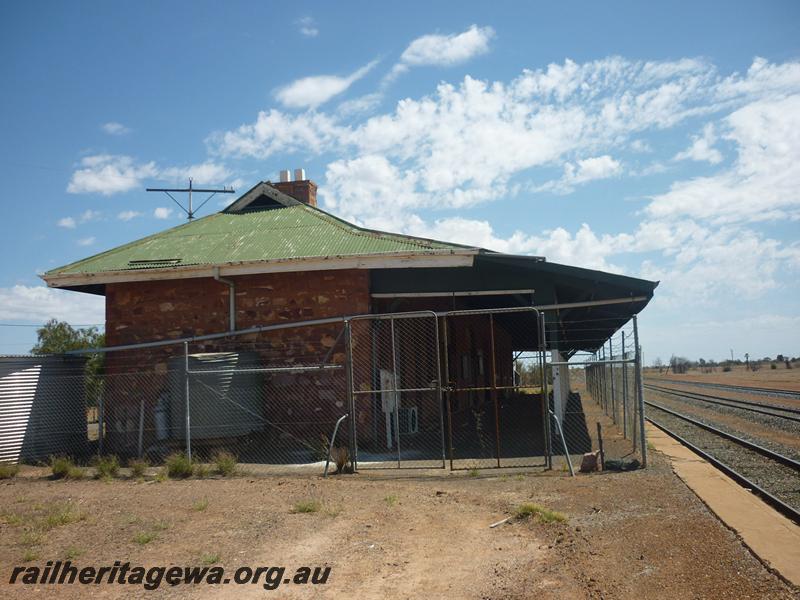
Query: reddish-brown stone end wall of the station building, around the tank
(160,310)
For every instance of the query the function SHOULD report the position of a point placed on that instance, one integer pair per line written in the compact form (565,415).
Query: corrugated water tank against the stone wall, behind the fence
(226,396)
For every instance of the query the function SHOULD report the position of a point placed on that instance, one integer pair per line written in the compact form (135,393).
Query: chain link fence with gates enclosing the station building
(456,389)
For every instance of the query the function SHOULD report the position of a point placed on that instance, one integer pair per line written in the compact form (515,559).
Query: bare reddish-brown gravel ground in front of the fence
(388,535)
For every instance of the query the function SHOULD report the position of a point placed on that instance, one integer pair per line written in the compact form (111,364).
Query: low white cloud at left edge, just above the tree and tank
(39,304)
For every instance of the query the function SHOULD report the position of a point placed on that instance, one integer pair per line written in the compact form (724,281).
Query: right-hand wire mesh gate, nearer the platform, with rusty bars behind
(495,389)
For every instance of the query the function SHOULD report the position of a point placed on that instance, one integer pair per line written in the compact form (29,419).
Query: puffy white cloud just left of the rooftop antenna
(109,174)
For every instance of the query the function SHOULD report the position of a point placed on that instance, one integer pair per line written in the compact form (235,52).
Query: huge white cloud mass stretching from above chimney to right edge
(465,145)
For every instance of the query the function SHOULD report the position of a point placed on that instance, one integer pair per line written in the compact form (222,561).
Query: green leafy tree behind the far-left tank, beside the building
(58,337)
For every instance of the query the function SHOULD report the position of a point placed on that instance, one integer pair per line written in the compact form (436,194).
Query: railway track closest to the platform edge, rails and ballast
(771,475)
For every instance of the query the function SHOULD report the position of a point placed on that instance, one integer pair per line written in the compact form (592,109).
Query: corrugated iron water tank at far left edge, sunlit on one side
(42,407)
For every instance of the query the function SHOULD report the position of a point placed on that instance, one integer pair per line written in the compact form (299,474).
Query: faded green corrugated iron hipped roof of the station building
(280,232)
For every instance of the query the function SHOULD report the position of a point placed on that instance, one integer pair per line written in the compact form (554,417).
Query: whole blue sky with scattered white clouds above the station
(660,141)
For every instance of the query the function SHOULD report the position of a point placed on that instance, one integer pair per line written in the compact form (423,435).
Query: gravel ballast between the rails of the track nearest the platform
(778,479)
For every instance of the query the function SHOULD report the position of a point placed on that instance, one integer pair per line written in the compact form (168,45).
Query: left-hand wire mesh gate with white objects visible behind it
(396,390)
